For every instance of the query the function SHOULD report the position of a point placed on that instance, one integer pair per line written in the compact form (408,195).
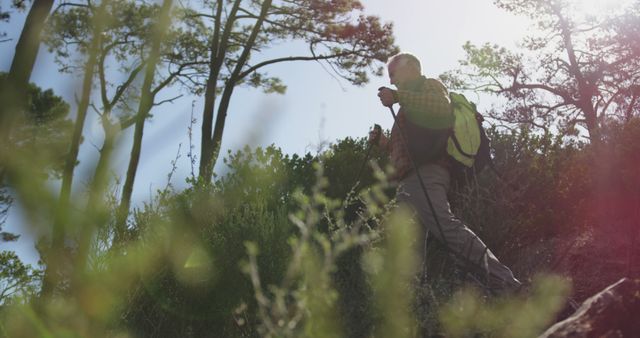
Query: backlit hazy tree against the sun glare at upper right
(574,72)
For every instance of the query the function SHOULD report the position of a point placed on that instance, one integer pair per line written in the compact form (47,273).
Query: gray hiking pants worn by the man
(459,238)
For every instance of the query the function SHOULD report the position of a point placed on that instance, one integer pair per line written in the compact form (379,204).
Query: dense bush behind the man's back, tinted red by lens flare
(558,203)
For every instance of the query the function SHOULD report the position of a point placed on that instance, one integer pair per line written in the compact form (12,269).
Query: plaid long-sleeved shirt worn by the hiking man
(426,103)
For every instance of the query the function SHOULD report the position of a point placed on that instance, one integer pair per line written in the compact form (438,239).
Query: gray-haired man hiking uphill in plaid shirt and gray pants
(426,101)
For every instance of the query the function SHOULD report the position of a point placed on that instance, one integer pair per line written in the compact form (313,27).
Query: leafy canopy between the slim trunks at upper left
(124,48)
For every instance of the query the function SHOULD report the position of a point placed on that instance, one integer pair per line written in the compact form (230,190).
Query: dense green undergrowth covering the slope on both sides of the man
(290,246)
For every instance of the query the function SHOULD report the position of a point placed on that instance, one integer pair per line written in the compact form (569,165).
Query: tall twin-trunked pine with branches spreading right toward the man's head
(336,32)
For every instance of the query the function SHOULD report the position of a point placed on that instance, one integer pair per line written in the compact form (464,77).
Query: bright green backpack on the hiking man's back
(468,144)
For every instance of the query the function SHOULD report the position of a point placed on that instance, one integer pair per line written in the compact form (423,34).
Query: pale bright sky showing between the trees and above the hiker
(317,108)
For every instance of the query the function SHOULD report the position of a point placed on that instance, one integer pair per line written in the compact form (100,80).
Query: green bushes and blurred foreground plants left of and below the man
(179,273)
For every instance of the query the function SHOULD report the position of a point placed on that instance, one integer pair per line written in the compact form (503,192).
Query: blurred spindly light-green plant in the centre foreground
(304,303)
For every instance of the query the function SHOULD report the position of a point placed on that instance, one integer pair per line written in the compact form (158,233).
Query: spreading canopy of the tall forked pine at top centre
(335,31)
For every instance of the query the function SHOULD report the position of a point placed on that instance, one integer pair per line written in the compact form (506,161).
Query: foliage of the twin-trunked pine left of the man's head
(337,33)
